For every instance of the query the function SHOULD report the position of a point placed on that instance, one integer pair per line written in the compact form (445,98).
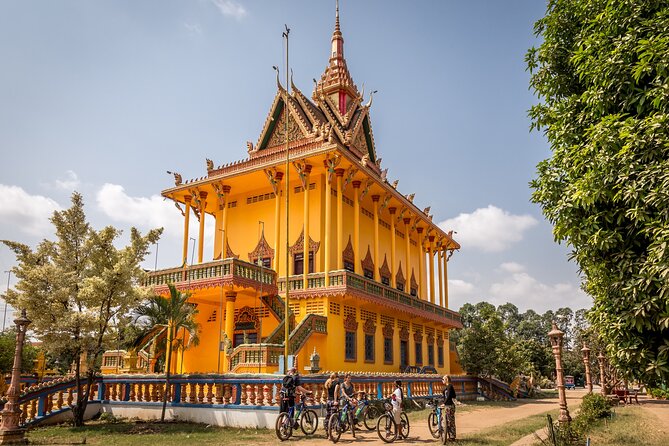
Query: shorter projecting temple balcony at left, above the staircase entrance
(228,273)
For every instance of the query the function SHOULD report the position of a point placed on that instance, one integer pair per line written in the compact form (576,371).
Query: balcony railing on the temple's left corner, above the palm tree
(231,269)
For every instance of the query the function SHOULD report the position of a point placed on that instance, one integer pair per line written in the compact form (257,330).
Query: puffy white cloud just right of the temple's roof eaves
(489,229)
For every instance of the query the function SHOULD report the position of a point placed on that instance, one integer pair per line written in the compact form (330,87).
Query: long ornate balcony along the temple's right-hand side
(347,285)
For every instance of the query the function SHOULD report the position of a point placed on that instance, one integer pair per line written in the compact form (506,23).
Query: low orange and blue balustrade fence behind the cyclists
(234,391)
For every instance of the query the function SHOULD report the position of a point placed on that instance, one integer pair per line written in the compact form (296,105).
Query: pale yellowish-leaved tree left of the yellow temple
(73,287)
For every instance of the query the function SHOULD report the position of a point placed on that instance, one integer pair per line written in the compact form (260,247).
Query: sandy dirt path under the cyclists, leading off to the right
(466,422)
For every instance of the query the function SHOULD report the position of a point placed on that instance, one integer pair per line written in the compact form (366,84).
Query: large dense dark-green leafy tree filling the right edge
(602,74)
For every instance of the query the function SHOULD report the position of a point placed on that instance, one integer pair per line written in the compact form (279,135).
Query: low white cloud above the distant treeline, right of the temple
(525,291)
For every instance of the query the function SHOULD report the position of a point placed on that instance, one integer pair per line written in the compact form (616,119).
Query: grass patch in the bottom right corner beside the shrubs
(629,426)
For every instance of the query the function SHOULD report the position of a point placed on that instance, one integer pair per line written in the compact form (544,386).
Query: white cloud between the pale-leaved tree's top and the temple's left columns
(142,212)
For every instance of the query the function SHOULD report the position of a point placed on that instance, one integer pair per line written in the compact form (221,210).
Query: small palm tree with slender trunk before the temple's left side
(173,313)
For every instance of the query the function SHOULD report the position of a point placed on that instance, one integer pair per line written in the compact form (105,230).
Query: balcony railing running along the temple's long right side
(348,280)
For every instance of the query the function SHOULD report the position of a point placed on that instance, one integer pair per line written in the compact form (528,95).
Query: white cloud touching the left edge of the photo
(28,213)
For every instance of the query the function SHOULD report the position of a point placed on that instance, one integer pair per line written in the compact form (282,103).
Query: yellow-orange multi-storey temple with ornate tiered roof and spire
(366,269)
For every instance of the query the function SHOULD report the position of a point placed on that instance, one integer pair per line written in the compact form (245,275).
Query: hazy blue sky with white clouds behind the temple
(104,97)
